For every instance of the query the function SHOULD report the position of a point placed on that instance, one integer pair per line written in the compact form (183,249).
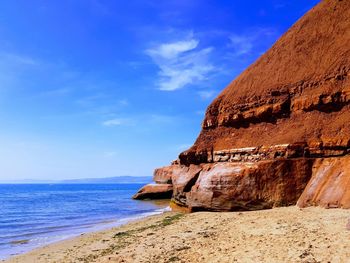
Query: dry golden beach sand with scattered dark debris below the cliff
(278,235)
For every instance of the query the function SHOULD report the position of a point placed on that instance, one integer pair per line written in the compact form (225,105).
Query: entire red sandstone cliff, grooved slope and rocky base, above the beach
(280,131)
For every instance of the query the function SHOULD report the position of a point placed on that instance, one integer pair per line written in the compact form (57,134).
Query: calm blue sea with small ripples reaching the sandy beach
(35,215)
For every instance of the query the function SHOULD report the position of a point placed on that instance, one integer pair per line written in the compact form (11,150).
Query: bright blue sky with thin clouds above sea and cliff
(99,88)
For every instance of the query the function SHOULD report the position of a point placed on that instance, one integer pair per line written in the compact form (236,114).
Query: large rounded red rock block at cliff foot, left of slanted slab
(249,186)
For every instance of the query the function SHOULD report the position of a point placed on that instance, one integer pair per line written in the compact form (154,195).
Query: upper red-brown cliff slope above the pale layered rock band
(298,91)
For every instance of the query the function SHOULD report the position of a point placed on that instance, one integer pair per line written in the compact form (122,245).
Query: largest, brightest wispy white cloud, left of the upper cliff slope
(181,63)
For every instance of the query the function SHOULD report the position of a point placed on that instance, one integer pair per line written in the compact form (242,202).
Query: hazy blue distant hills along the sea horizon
(107,180)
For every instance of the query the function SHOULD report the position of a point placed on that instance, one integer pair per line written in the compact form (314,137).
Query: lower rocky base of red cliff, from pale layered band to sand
(261,177)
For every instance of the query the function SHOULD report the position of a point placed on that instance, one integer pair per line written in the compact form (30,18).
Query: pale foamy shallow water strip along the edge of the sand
(22,247)
